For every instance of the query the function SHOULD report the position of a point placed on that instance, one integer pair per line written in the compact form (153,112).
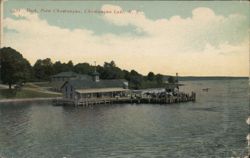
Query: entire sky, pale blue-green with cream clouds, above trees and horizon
(193,38)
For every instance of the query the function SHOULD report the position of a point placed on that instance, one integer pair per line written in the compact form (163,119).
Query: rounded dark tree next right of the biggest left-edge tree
(43,69)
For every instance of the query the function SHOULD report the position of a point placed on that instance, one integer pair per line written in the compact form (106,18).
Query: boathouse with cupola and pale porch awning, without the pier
(87,89)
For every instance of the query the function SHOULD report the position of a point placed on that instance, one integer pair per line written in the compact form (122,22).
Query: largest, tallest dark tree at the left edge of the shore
(14,68)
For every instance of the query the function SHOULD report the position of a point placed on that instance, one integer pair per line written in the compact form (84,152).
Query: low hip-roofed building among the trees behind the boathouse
(65,76)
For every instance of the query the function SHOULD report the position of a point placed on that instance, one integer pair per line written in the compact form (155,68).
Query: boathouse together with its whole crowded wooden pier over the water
(97,91)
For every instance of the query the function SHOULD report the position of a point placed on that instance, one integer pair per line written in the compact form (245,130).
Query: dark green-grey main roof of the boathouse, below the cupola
(89,84)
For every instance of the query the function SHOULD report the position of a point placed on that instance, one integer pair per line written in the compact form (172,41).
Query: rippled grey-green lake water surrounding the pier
(213,126)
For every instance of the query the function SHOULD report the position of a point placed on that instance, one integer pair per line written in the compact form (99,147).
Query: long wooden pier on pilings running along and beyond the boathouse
(182,97)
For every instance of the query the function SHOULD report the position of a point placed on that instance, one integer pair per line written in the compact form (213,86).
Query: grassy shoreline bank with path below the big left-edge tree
(24,93)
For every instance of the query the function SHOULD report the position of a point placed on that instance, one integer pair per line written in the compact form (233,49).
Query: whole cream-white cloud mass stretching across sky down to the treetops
(204,44)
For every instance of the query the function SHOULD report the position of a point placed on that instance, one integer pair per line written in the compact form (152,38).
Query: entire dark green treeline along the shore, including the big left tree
(15,69)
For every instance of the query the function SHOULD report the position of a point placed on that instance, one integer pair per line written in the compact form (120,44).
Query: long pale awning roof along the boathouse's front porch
(100,90)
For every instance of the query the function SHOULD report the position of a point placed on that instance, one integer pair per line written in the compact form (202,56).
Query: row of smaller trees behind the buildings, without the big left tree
(43,69)
